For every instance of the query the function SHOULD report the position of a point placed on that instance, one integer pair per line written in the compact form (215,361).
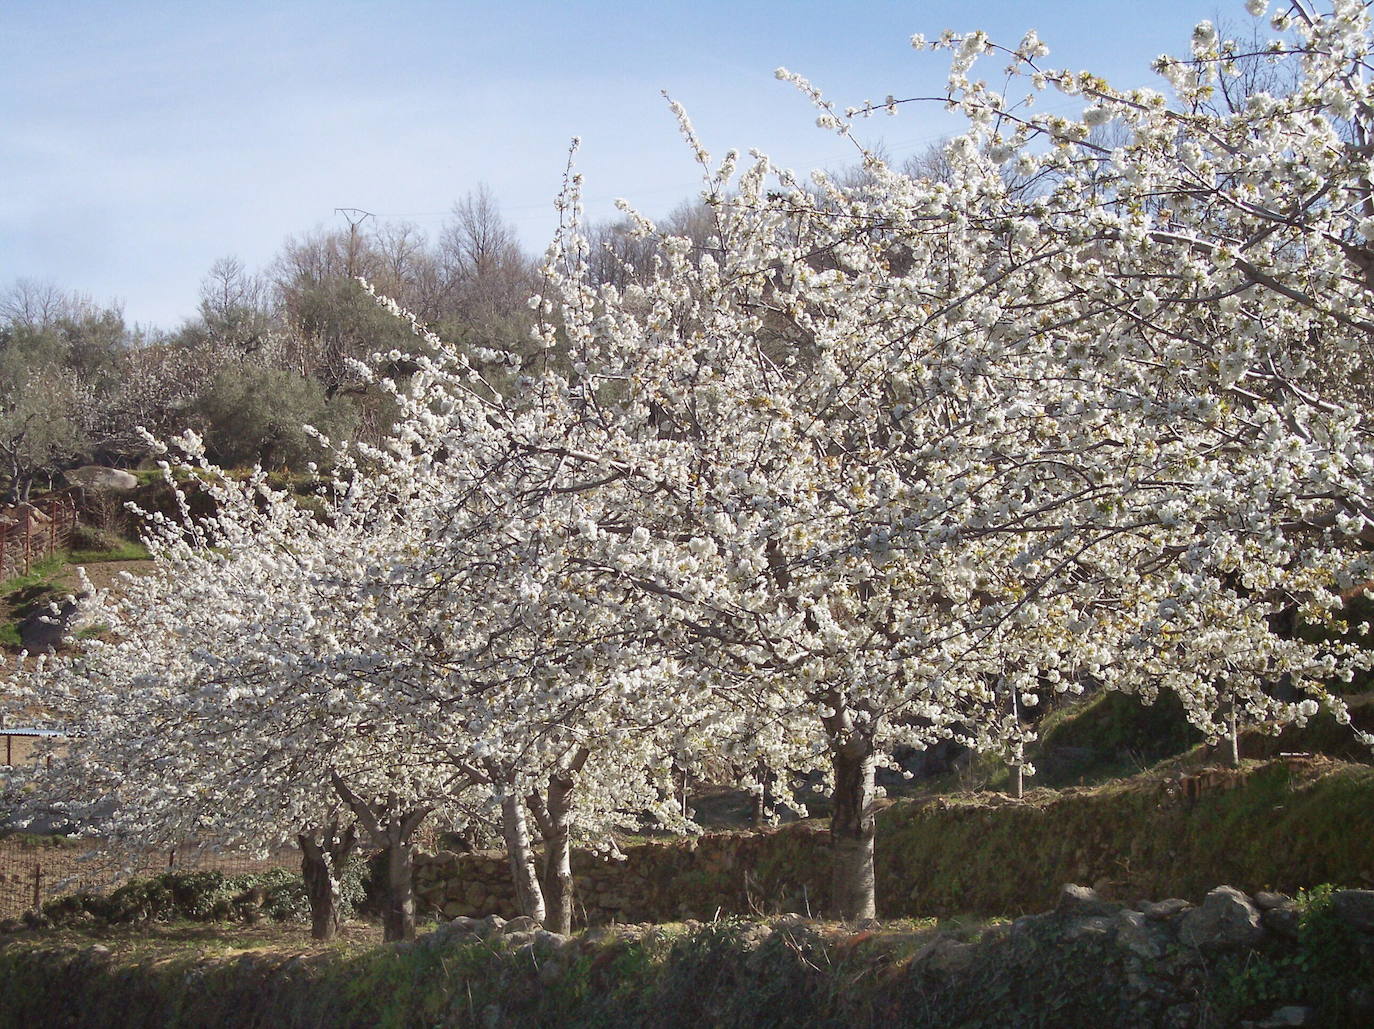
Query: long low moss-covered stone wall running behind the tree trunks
(1281,825)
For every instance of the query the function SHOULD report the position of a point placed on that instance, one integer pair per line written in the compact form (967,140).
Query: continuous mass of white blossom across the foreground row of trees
(881,465)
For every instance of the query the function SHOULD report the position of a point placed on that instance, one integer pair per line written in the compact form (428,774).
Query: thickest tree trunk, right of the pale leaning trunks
(853,828)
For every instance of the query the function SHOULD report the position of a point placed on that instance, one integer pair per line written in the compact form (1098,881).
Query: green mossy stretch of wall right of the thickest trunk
(1268,826)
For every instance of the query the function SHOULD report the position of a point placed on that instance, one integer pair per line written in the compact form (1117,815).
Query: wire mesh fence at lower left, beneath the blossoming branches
(34,870)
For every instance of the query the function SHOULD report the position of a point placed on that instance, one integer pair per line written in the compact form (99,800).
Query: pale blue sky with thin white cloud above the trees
(142,141)
